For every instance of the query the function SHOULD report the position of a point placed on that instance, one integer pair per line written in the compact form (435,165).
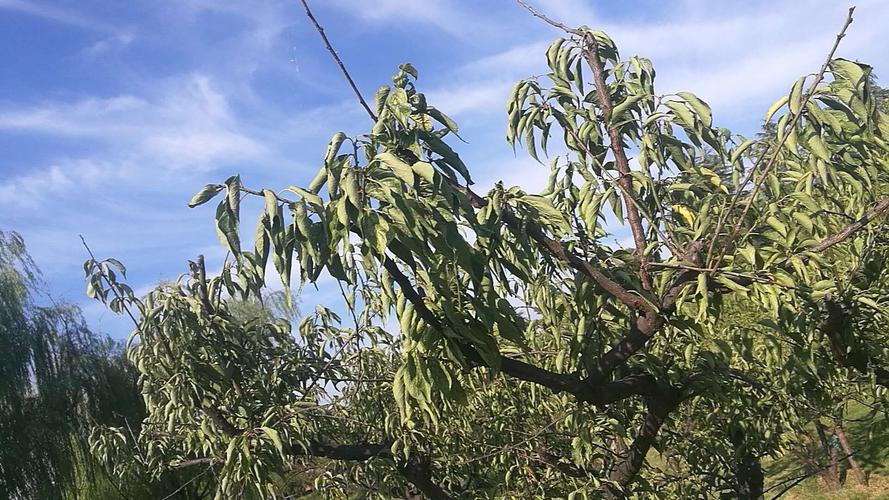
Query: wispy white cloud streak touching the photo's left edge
(189,124)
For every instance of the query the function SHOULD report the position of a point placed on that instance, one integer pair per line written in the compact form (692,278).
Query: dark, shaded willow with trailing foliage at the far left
(58,381)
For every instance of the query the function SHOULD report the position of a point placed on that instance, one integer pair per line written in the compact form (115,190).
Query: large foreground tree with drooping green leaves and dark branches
(497,344)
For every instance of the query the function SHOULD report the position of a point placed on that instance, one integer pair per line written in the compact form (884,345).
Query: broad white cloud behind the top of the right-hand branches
(734,58)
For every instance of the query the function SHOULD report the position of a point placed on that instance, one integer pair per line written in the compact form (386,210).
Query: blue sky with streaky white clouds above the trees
(112,114)
